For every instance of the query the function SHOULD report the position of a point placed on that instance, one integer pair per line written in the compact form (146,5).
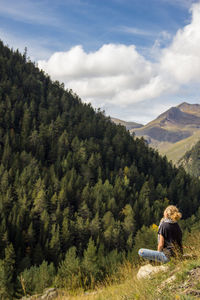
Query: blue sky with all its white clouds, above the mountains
(132,58)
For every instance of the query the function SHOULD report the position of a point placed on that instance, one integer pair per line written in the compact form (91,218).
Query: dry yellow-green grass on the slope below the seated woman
(124,285)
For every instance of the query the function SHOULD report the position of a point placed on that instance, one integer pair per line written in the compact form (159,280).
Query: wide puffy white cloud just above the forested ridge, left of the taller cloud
(113,73)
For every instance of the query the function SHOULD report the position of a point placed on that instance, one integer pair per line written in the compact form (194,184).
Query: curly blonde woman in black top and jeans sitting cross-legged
(169,237)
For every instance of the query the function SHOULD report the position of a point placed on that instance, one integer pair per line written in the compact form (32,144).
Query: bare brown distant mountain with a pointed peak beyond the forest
(173,132)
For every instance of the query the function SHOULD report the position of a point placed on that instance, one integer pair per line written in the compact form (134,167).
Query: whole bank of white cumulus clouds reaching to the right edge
(120,75)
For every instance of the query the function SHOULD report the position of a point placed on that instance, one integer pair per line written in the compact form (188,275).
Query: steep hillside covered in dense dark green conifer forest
(75,188)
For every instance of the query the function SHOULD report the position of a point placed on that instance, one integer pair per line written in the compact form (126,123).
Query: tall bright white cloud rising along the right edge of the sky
(182,59)
